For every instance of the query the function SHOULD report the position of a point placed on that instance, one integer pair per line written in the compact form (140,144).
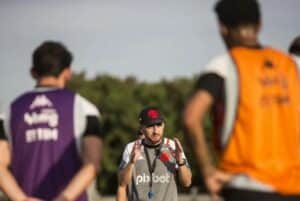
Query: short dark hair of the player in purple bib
(50,59)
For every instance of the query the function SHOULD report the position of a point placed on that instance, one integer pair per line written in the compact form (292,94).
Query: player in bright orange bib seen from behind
(253,92)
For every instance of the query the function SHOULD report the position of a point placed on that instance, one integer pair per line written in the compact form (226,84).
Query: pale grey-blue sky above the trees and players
(150,39)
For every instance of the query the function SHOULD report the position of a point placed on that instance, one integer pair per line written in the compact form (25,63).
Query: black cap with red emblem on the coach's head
(150,116)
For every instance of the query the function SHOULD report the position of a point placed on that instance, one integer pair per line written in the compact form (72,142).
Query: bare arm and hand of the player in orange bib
(194,114)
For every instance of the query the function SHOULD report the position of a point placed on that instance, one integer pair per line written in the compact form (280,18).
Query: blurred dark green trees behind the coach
(120,101)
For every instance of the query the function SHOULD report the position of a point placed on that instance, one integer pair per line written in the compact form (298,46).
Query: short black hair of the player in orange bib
(233,13)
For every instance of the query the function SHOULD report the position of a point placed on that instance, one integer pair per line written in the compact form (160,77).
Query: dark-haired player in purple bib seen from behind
(52,136)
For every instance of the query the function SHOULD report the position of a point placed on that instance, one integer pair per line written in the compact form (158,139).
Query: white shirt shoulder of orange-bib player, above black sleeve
(218,65)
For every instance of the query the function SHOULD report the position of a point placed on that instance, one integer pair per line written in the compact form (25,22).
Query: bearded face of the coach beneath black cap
(154,132)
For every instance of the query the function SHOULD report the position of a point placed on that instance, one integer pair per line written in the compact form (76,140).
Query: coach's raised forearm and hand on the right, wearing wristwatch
(184,172)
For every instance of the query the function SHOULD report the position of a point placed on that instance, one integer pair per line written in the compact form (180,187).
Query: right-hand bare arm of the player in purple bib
(91,155)
